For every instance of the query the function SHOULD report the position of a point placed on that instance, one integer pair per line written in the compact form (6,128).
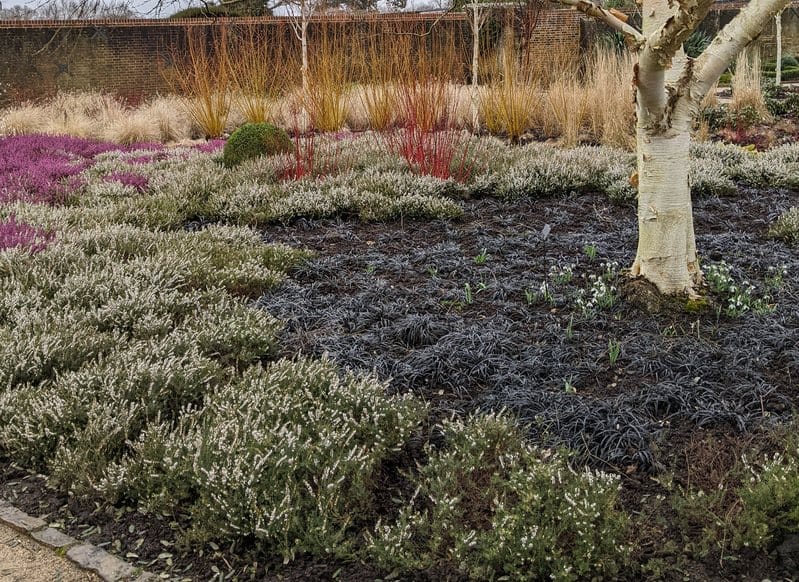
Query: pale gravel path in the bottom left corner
(22,559)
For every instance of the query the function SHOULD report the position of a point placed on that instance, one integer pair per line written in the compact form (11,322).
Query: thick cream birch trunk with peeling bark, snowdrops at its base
(669,90)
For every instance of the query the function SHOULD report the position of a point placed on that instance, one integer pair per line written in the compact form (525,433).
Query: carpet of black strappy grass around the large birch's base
(408,319)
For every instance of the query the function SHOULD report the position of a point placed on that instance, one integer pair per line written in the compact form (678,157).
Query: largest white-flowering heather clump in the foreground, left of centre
(288,454)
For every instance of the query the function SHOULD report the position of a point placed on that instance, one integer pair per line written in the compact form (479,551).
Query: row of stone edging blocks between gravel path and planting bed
(86,556)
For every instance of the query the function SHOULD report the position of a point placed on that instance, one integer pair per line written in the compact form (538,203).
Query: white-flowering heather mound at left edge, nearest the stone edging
(101,405)
